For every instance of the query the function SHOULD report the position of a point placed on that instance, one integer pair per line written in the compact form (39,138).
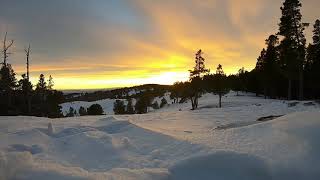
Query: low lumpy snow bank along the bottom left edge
(22,166)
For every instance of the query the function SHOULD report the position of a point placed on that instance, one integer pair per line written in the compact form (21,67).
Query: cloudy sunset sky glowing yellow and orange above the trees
(88,44)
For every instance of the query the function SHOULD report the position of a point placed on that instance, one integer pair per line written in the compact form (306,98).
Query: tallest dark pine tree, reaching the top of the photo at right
(293,44)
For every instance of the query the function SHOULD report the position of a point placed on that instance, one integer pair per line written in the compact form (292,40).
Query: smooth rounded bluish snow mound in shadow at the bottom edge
(221,166)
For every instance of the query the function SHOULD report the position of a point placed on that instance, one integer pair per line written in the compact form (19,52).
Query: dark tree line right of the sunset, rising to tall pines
(286,69)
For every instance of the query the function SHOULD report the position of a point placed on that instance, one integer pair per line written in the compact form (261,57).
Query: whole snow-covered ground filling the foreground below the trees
(171,143)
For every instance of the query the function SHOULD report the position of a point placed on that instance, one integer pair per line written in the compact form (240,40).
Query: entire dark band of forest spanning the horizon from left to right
(287,68)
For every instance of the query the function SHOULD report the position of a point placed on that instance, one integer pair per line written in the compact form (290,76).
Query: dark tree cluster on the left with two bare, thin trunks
(21,97)
